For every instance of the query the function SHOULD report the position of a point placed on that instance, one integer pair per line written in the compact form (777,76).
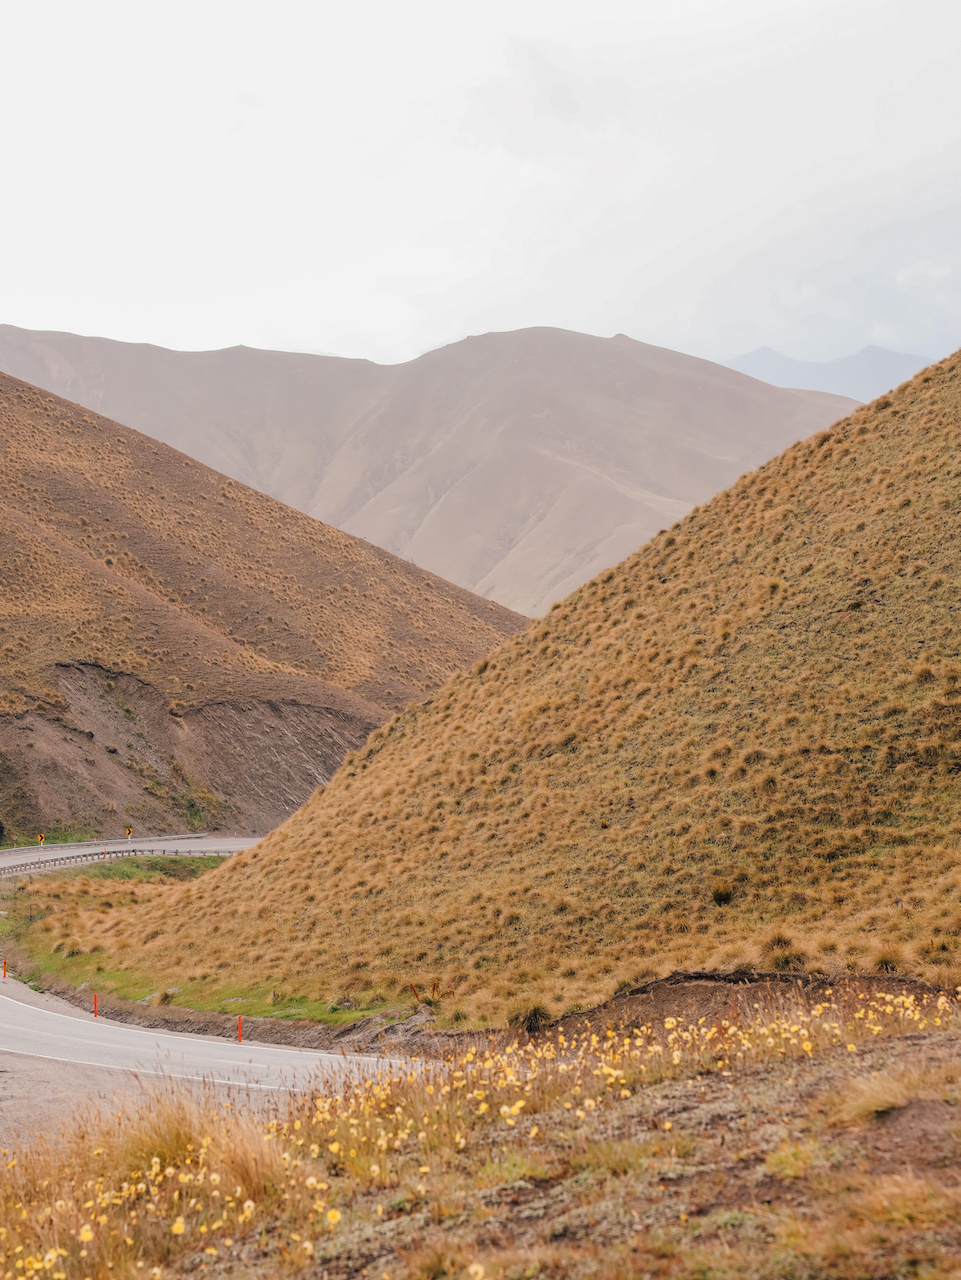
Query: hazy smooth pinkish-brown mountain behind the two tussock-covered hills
(515,464)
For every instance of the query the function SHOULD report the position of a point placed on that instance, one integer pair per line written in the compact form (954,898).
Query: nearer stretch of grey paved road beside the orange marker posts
(112,1048)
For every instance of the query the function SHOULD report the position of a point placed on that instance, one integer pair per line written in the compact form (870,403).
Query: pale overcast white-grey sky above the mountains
(377,180)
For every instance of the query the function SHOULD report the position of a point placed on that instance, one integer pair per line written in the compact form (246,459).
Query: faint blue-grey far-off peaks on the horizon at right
(863,377)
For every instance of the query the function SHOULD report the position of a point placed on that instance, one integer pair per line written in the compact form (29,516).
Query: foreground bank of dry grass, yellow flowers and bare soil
(768,1146)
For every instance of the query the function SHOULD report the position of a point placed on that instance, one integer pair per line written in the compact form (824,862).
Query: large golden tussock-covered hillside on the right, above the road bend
(742,746)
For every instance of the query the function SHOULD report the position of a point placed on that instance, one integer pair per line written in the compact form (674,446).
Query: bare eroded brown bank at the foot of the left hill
(112,755)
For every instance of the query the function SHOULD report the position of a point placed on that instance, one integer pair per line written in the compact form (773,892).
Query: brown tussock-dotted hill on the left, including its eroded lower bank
(176,647)
